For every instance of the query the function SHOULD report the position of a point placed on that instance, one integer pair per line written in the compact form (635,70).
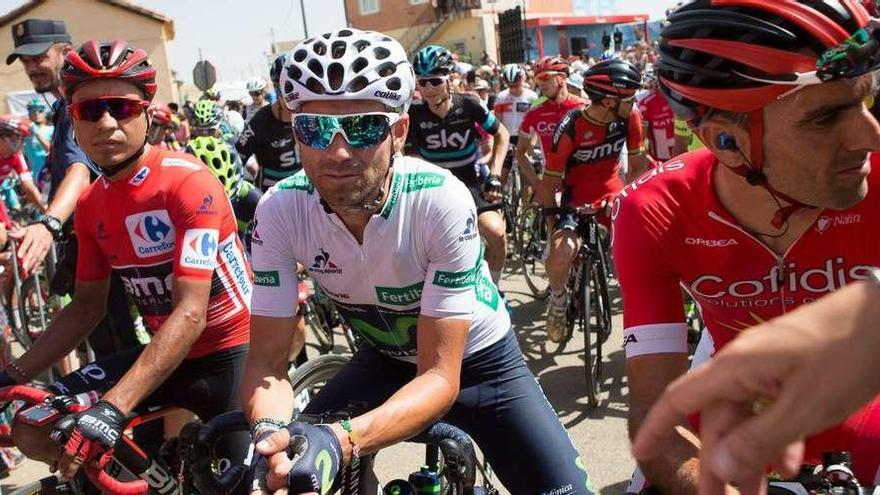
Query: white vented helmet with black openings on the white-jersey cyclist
(348,64)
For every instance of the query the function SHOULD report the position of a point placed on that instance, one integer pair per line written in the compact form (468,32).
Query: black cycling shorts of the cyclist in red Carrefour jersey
(206,385)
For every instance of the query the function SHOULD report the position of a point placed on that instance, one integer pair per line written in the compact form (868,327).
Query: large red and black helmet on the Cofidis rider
(714,53)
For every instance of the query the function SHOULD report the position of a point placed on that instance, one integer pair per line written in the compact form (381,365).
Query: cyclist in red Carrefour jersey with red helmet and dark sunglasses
(162,221)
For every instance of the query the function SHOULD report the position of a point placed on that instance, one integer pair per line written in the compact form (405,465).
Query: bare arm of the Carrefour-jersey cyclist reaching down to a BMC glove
(168,347)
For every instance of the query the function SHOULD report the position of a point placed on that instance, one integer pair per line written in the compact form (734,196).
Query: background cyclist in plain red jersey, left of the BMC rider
(541,121)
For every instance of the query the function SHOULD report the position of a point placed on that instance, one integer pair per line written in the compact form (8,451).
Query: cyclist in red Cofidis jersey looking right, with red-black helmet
(779,211)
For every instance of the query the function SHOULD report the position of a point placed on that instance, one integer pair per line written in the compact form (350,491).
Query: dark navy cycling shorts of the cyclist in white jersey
(500,405)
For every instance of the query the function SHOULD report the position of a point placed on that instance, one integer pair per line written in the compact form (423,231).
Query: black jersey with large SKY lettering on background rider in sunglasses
(450,142)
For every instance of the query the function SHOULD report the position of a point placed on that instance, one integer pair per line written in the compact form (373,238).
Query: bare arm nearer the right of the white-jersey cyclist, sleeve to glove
(427,397)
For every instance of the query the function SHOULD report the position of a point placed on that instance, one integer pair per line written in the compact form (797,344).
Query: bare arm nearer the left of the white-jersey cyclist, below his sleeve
(265,388)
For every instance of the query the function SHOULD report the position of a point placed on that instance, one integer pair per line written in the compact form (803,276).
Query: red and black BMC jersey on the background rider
(587,155)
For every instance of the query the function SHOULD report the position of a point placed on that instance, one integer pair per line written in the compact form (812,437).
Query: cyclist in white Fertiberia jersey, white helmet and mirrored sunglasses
(393,241)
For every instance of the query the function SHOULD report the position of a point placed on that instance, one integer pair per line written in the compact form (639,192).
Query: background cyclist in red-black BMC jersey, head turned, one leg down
(584,162)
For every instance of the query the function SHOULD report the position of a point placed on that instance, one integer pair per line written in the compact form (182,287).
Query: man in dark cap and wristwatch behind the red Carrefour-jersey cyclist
(41,46)
